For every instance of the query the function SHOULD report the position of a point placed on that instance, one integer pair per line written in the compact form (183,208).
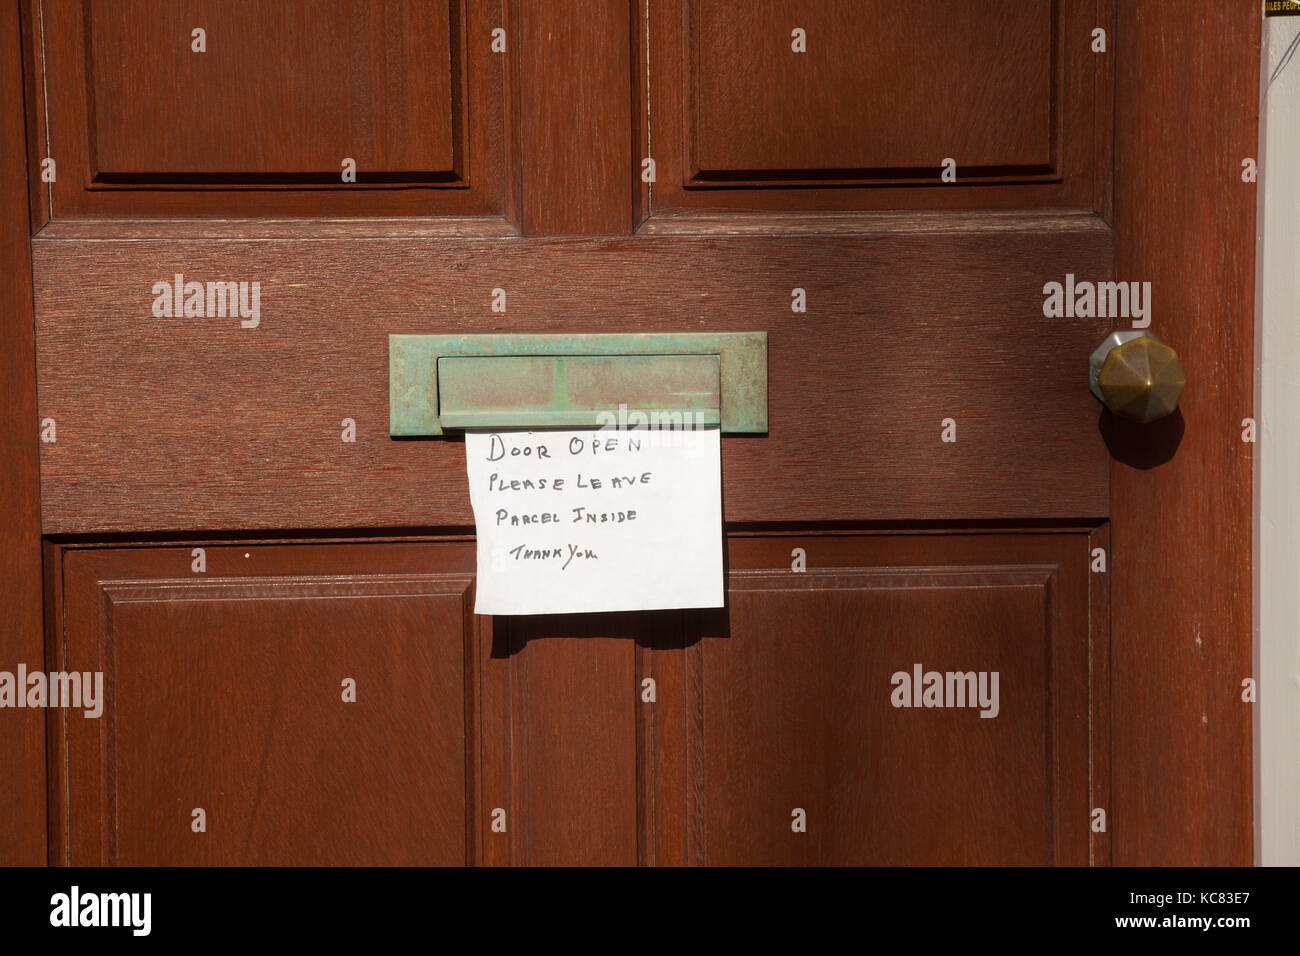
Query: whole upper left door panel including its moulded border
(262,120)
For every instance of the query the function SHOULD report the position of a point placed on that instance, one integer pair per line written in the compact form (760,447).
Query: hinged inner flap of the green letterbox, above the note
(515,391)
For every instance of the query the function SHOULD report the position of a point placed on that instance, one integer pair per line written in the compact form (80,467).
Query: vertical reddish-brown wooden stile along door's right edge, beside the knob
(1181,586)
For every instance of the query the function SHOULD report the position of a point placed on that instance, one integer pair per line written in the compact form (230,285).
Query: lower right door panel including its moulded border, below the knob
(800,713)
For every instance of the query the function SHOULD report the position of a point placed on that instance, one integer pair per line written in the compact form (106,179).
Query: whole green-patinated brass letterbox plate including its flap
(548,380)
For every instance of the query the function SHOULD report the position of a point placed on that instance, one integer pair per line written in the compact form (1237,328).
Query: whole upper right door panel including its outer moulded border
(818,105)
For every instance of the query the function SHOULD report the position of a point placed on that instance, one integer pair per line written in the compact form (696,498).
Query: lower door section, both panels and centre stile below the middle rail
(582,739)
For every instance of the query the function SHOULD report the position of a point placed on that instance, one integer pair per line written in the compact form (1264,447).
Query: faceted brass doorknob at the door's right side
(1137,377)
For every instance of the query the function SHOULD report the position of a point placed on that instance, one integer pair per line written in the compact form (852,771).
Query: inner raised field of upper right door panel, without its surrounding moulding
(760,111)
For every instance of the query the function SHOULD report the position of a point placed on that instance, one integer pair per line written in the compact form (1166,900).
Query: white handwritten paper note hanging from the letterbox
(597,520)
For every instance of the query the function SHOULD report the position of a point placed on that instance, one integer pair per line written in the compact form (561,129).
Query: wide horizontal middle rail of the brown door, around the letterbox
(908,327)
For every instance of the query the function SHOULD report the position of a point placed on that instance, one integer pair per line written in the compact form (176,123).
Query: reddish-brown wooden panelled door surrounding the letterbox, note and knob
(235,542)
